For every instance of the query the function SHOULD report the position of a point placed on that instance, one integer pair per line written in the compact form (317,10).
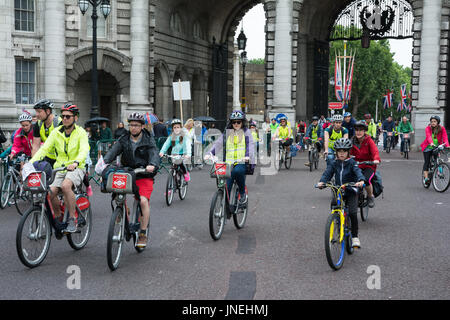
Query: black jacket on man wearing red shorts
(146,153)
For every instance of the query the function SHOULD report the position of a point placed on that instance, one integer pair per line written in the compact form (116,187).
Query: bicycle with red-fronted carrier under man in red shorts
(122,226)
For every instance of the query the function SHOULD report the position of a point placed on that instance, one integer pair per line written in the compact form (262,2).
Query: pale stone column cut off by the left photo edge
(7,64)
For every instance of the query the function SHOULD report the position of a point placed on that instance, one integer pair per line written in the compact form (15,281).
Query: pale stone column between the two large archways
(282,81)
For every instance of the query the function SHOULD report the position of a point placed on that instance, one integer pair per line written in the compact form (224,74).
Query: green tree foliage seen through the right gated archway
(375,72)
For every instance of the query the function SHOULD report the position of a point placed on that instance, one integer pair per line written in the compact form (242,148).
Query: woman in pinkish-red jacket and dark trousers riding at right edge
(435,136)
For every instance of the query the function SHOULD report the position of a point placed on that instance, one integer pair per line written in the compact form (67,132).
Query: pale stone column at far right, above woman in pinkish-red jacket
(428,88)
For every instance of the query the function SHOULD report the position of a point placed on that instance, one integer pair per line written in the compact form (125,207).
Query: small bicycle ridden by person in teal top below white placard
(175,179)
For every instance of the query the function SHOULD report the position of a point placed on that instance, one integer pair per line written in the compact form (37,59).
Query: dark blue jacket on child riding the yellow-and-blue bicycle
(343,171)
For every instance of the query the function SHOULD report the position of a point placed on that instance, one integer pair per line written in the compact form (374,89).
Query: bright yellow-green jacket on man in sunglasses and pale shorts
(68,149)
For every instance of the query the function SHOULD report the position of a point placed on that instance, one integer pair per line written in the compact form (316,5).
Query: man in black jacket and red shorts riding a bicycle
(138,150)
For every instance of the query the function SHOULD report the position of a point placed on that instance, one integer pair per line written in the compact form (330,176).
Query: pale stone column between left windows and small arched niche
(55,54)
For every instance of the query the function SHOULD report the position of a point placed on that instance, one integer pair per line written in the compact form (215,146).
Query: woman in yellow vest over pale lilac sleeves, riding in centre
(237,144)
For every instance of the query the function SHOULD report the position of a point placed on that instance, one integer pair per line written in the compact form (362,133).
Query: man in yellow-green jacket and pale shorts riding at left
(70,142)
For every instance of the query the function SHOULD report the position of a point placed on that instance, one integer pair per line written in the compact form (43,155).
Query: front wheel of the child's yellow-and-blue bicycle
(332,243)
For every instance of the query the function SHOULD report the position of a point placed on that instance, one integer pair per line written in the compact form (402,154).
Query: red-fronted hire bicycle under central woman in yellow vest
(225,203)
